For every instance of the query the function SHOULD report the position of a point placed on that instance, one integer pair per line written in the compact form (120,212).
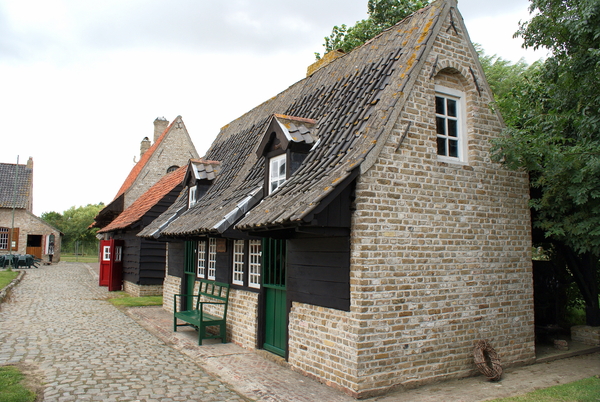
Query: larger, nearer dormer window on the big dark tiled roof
(284,146)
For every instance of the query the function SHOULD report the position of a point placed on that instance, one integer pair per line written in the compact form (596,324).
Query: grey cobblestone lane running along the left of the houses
(57,319)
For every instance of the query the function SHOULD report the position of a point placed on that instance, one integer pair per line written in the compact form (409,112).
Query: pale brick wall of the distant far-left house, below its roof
(30,224)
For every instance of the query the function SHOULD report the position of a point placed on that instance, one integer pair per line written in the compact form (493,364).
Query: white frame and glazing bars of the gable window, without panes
(461,126)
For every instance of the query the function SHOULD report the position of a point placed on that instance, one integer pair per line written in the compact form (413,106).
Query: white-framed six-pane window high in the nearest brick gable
(450,124)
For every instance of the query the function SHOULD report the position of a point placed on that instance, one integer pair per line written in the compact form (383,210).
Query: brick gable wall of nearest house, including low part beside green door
(440,252)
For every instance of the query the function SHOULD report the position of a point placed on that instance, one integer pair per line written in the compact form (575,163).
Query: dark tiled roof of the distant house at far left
(8,172)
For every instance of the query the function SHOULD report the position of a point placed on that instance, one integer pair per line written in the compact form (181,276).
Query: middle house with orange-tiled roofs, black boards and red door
(151,186)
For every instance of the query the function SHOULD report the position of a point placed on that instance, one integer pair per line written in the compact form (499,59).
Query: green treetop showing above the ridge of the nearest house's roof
(382,14)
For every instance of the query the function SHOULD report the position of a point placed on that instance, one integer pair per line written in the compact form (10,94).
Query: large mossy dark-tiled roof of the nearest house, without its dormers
(355,101)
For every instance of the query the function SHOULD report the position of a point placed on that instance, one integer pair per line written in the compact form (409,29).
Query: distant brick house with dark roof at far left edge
(27,234)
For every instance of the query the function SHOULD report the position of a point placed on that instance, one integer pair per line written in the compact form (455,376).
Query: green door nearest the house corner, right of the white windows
(274,275)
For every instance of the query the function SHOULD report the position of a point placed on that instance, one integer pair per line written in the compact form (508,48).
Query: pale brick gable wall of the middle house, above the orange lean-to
(175,149)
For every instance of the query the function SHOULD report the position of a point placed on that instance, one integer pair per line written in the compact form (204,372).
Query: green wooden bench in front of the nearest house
(210,309)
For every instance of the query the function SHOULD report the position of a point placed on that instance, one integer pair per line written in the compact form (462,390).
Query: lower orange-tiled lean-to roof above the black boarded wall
(147,201)
